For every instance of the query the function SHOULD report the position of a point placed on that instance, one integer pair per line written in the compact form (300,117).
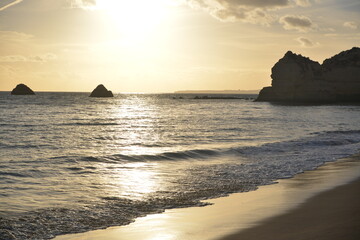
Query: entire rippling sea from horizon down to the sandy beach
(70,163)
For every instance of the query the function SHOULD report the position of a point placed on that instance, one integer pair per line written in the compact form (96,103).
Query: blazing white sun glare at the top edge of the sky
(134,18)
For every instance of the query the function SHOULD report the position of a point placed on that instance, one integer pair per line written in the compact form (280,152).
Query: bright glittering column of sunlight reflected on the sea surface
(135,135)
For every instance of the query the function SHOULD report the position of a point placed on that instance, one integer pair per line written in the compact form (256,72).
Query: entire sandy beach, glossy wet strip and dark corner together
(319,204)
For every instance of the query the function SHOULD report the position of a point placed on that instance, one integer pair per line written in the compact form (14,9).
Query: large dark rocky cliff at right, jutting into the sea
(298,79)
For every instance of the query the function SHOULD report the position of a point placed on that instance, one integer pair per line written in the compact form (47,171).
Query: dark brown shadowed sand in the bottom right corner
(332,215)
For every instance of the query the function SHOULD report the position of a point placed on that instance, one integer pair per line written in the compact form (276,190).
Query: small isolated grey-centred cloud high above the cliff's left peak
(299,23)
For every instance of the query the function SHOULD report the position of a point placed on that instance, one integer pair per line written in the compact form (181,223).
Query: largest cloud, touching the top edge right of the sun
(252,11)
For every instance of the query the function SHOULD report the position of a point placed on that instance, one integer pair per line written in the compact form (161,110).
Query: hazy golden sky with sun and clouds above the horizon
(165,45)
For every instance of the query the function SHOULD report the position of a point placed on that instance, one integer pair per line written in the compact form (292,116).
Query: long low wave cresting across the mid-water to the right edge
(315,140)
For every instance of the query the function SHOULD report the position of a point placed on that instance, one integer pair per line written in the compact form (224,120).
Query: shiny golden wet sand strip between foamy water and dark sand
(230,217)
